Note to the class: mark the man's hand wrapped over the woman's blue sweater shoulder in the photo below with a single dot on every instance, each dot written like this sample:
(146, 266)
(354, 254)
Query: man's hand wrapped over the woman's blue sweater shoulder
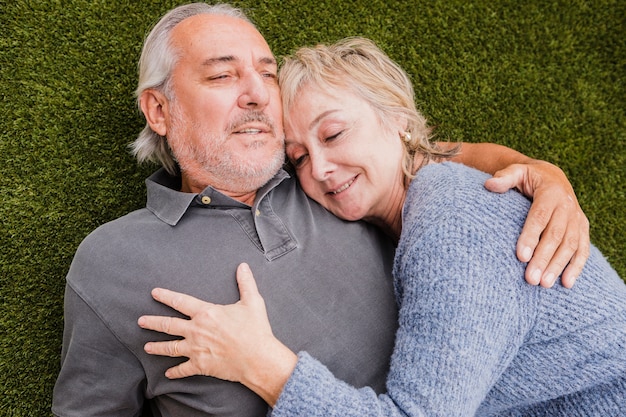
(555, 237)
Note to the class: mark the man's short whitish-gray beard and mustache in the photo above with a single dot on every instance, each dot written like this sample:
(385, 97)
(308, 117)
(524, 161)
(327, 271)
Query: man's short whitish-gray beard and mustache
(227, 170)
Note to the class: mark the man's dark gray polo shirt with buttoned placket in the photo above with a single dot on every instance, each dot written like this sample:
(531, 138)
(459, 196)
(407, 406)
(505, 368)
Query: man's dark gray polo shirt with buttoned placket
(326, 283)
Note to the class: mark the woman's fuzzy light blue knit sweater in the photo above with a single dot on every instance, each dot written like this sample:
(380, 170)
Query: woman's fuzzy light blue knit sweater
(474, 338)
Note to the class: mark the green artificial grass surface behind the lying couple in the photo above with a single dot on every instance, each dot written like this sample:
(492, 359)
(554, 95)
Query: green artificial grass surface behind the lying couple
(544, 77)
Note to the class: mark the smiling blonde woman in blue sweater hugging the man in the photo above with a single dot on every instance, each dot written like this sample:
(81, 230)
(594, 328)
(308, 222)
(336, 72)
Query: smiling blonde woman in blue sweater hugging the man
(473, 338)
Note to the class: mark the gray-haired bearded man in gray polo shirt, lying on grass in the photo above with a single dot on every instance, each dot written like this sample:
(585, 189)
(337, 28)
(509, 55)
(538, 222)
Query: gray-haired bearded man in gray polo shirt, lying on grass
(208, 85)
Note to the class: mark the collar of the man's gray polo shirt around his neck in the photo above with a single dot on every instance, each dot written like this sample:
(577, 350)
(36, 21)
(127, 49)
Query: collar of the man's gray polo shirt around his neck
(170, 205)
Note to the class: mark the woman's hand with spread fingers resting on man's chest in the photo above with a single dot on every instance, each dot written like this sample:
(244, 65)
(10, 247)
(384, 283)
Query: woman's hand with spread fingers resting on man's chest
(232, 342)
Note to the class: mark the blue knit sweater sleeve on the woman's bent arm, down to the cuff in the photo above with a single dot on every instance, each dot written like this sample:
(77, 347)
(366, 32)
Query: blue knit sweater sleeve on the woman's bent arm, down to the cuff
(464, 312)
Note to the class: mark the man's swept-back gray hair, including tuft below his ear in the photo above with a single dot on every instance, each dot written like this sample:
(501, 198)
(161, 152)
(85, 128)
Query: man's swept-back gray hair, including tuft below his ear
(156, 63)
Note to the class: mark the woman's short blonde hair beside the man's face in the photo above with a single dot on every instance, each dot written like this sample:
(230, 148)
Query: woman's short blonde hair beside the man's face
(359, 65)
